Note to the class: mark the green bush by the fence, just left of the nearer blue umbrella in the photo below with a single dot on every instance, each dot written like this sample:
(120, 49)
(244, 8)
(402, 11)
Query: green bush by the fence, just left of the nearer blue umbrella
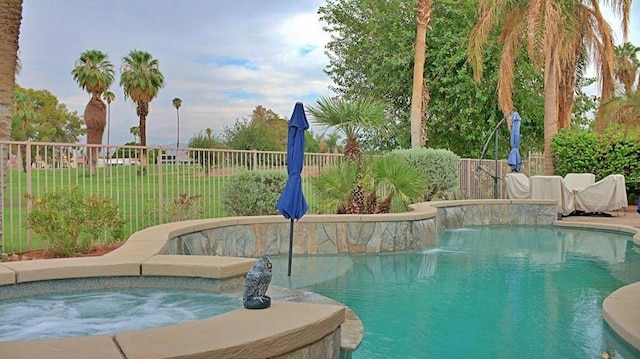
(253, 193)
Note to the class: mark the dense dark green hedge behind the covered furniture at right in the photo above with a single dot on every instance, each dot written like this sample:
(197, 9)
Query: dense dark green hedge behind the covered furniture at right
(614, 151)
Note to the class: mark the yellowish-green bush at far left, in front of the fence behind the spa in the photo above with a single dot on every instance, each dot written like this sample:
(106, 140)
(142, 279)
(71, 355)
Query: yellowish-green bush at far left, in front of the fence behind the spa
(70, 221)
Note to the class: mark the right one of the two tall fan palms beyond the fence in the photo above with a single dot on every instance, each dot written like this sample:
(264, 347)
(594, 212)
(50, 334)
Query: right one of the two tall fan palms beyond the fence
(142, 80)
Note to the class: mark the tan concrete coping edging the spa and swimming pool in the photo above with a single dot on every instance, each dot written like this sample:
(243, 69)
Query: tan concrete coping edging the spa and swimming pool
(144, 254)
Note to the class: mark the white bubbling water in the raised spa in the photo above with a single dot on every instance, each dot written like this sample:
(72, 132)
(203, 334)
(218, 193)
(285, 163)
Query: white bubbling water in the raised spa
(106, 312)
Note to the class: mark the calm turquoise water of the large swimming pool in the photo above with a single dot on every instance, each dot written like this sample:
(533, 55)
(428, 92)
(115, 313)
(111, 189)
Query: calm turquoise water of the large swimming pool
(486, 292)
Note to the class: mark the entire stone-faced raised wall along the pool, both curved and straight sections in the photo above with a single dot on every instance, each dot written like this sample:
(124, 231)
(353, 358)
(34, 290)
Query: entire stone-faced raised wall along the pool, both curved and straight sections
(376, 235)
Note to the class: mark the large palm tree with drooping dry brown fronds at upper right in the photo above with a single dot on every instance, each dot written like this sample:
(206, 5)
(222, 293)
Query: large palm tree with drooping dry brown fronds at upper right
(555, 36)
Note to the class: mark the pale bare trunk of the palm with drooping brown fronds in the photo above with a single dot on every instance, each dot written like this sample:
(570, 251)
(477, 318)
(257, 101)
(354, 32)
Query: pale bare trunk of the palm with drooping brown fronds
(550, 110)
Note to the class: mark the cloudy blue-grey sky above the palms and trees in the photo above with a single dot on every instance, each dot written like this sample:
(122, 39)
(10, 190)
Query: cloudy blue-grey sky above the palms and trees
(222, 58)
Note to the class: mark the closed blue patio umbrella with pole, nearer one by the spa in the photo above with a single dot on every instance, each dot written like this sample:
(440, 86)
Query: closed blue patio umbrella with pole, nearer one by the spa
(291, 203)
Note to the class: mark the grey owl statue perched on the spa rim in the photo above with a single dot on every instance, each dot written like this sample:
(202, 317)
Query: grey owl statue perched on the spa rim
(256, 285)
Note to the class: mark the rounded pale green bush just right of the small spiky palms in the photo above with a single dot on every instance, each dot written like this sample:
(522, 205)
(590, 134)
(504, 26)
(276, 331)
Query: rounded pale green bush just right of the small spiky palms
(439, 168)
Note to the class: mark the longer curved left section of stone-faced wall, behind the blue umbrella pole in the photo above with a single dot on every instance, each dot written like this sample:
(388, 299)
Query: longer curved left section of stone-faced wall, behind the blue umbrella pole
(253, 240)
